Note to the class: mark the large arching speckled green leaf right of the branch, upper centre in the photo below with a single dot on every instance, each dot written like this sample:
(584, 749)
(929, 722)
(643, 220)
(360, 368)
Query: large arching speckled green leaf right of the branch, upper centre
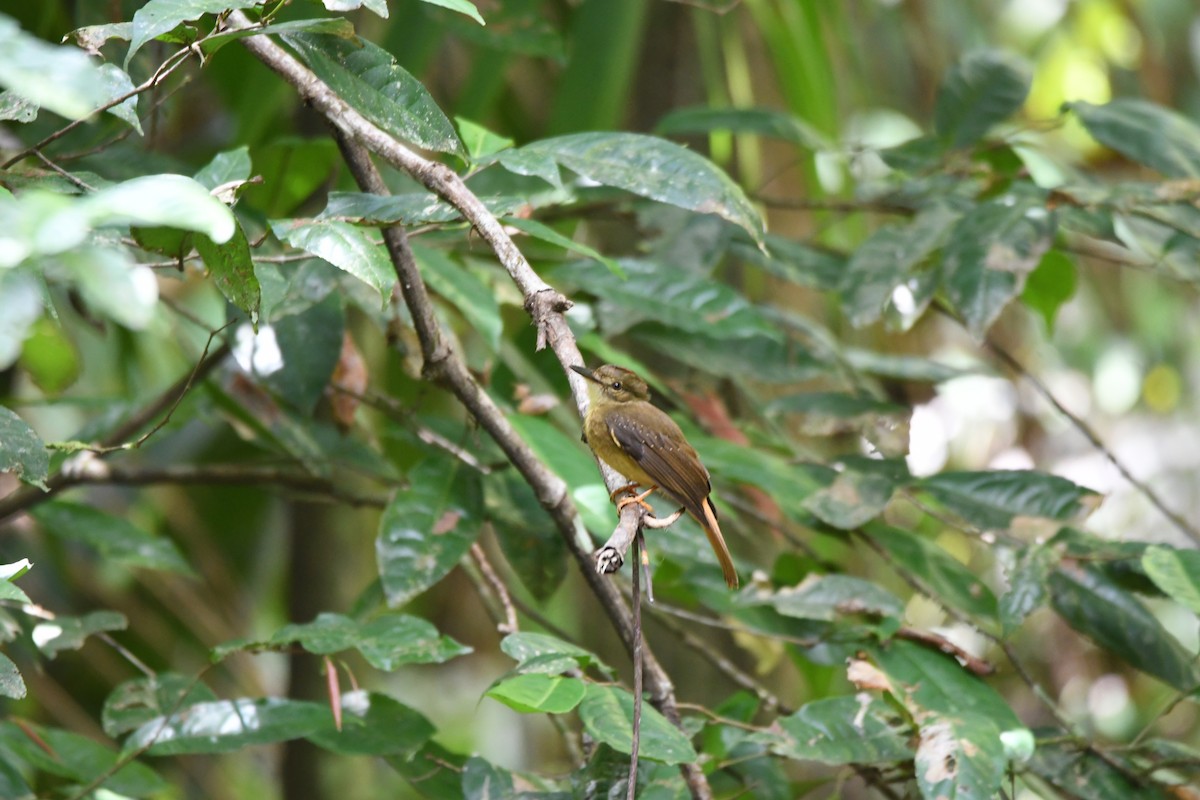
(645, 166)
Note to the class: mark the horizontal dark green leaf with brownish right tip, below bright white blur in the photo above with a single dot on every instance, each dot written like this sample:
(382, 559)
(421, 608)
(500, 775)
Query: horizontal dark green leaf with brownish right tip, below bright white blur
(993, 500)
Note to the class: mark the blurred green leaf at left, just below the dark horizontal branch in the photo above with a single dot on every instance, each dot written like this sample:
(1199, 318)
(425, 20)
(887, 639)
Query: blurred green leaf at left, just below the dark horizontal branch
(112, 538)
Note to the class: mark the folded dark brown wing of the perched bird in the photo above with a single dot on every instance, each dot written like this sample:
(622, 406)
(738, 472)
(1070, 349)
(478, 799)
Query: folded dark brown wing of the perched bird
(671, 462)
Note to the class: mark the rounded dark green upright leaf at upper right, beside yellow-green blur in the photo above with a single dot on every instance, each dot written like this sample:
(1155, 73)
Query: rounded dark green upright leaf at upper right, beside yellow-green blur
(983, 89)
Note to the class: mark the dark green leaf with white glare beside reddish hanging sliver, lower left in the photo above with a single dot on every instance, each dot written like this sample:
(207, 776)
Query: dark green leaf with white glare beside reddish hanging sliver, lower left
(375, 725)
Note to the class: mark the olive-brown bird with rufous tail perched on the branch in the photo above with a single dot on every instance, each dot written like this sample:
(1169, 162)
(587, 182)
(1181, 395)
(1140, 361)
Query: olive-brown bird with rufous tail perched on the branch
(644, 444)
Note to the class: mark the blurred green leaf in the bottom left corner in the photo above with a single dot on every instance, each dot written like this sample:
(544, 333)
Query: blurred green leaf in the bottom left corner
(80, 760)
